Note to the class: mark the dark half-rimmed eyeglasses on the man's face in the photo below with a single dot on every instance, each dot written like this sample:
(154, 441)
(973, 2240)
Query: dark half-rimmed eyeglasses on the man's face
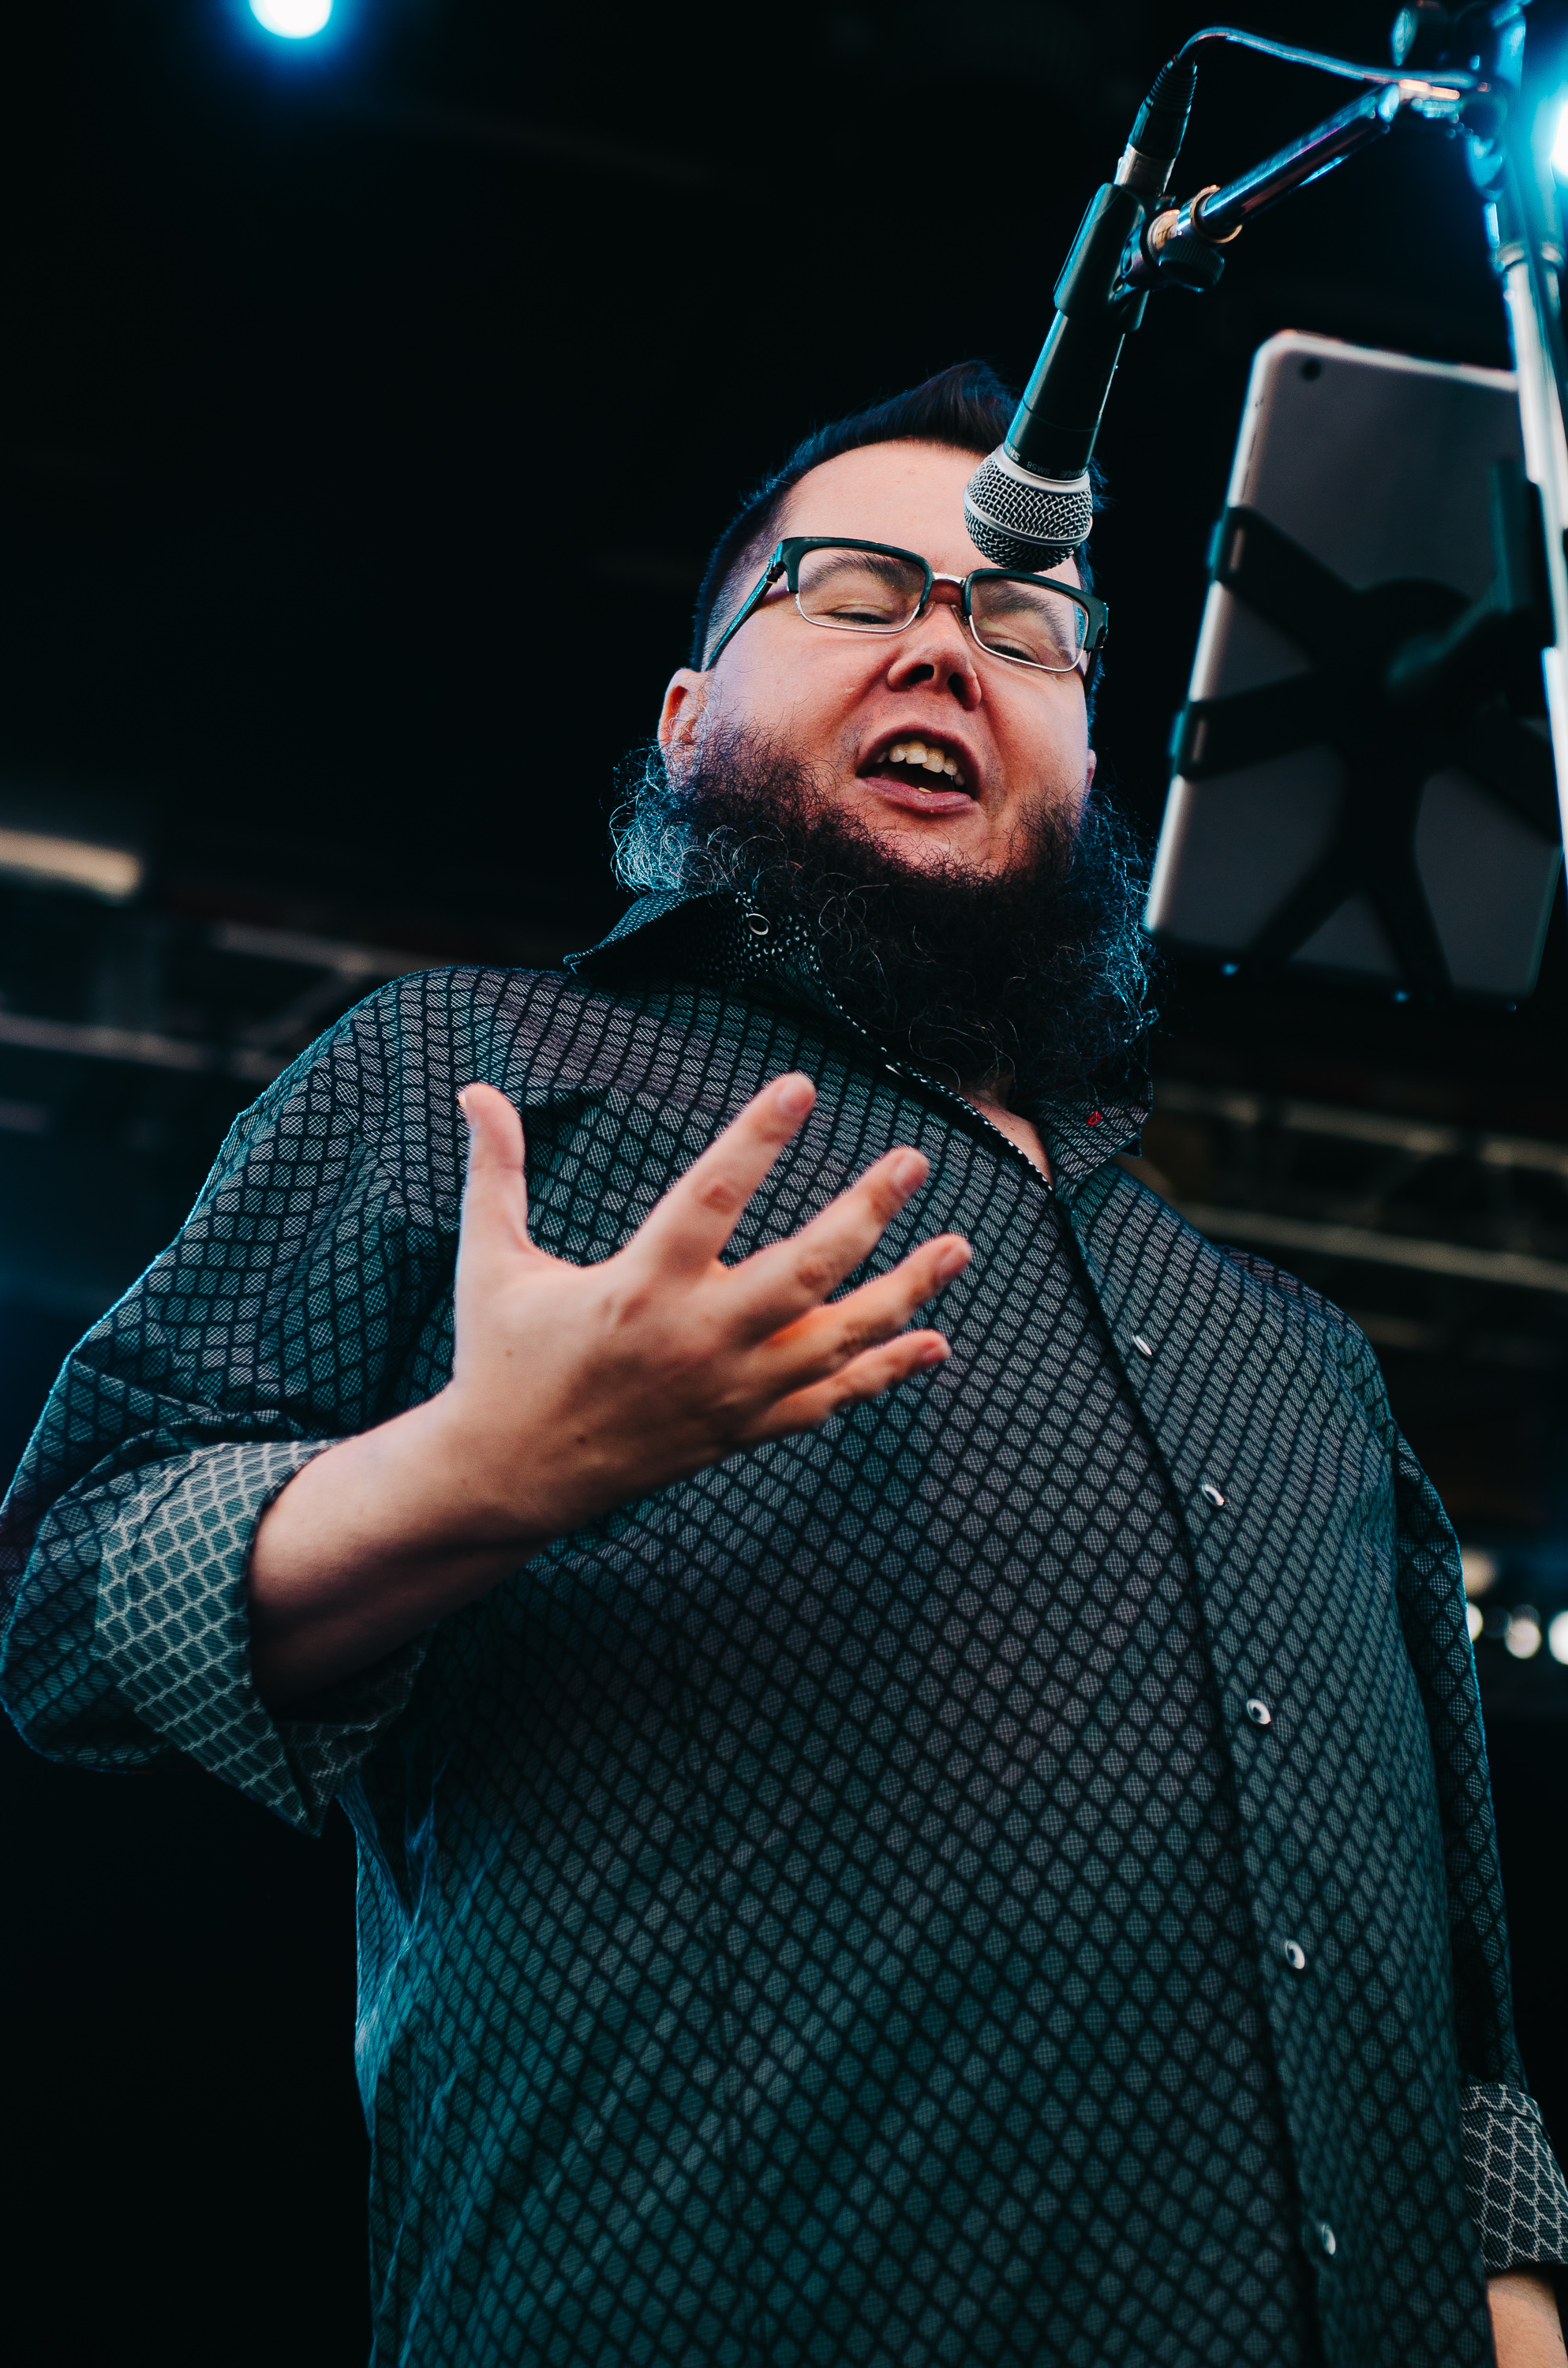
(878, 588)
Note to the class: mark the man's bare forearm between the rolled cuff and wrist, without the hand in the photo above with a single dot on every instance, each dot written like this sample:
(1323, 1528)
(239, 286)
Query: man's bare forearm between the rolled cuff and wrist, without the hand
(371, 1545)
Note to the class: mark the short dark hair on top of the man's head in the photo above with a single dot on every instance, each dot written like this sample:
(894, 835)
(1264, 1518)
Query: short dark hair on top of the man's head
(965, 408)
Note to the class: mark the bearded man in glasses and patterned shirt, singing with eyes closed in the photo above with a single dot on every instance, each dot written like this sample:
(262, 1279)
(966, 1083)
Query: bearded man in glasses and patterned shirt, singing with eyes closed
(880, 1846)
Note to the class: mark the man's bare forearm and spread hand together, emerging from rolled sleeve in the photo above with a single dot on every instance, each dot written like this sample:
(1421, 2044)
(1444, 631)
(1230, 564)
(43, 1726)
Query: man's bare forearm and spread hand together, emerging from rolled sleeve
(579, 1389)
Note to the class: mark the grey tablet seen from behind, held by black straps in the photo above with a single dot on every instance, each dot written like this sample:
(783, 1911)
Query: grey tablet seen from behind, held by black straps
(1311, 830)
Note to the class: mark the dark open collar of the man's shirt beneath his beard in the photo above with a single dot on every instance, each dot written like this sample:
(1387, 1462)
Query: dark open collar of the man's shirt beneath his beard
(721, 939)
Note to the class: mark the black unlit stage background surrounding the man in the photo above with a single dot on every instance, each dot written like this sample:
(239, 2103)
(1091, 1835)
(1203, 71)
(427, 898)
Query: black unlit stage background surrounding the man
(366, 413)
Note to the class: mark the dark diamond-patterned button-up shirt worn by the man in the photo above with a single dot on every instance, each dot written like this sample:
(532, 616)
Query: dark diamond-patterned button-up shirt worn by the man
(1008, 1879)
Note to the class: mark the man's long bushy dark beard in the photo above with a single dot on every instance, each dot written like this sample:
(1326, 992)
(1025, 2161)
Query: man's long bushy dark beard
(1017, 979)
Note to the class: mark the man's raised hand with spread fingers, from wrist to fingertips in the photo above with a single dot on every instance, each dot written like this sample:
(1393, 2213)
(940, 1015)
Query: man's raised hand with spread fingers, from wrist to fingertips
(577, 1389)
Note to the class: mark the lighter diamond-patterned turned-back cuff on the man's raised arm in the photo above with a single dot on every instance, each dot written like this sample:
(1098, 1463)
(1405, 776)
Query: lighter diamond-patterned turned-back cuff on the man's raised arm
(176, 1637)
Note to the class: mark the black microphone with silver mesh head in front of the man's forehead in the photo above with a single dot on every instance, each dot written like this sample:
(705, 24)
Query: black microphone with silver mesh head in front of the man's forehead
(1032, 506)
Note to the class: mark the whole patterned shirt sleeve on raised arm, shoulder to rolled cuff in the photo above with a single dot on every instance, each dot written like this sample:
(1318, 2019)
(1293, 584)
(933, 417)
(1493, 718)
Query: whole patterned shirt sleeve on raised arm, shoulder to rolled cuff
(276, 1325)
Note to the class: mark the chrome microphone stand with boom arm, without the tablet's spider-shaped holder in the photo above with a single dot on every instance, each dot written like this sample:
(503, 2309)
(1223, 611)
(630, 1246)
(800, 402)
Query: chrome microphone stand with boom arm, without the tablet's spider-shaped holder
(1527, 245)
